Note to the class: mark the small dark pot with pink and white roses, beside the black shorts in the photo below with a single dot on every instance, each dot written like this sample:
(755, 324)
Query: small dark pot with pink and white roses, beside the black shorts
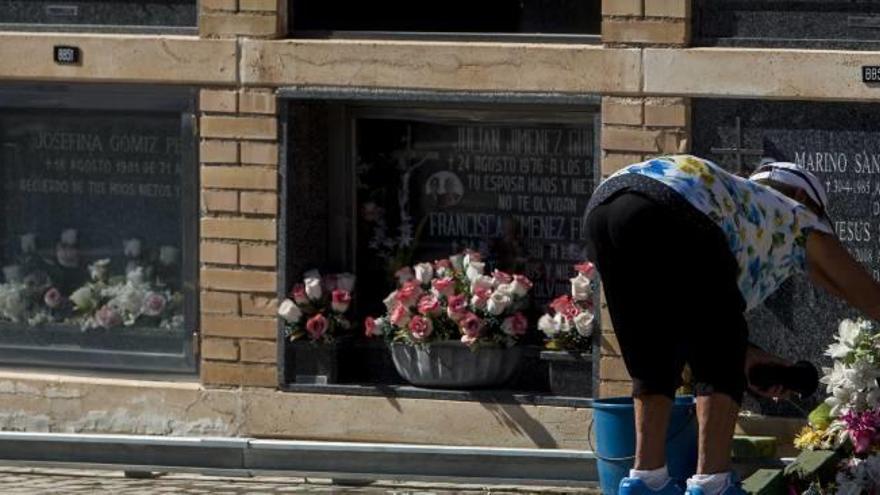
(568, 330)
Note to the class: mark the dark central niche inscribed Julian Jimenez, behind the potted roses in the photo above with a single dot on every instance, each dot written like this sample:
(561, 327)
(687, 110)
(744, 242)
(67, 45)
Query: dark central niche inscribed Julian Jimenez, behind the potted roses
(375, 184)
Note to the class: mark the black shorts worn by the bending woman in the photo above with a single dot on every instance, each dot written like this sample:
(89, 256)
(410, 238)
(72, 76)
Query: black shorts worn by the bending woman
(672, 294)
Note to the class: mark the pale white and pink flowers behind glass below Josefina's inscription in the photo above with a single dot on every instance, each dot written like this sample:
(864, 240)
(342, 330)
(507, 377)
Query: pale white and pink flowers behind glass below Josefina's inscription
(38, 290)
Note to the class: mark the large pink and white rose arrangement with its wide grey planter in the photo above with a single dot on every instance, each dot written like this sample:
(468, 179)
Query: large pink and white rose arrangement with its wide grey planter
(449, 324)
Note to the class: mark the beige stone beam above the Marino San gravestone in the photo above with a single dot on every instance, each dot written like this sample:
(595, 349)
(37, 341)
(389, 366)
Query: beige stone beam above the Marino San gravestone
(759, 73)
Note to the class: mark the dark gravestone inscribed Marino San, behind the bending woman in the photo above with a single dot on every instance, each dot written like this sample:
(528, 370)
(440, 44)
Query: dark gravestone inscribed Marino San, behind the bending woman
(839, 143)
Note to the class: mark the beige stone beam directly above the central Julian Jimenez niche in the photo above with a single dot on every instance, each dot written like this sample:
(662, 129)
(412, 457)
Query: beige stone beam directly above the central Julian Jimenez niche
(472, 66)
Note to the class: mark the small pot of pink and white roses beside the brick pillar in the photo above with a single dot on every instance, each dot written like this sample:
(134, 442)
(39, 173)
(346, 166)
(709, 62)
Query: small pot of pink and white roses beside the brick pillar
(314, 319)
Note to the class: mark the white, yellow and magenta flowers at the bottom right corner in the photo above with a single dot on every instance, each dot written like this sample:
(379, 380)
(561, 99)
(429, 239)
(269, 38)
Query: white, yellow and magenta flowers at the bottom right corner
(848, 421)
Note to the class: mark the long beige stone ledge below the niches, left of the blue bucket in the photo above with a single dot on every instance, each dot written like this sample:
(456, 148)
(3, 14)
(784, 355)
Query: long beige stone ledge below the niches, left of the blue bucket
(50, 402)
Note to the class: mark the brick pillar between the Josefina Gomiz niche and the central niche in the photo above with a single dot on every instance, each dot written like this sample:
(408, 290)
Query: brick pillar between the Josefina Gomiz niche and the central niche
(239, 210)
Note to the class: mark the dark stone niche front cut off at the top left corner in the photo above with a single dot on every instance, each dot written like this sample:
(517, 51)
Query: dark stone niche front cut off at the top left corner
(100, 15)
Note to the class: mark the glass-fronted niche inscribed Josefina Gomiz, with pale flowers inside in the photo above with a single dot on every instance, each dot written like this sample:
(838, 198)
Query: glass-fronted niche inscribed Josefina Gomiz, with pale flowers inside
(98, 228)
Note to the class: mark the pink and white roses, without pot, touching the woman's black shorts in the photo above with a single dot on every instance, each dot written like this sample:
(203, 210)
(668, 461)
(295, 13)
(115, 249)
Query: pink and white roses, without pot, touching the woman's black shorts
(569, 323)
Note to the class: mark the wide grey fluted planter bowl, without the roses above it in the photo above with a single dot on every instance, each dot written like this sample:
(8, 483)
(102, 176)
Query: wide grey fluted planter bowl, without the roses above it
(451, 364)
